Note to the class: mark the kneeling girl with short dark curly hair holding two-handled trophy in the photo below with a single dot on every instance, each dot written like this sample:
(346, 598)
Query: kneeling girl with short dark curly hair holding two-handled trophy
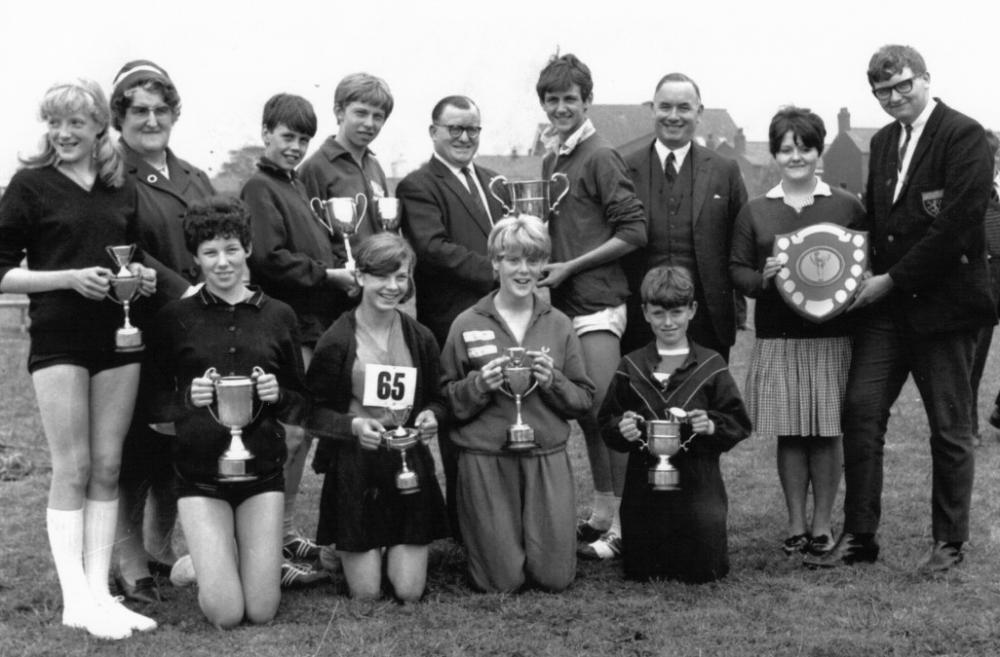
(225, 366)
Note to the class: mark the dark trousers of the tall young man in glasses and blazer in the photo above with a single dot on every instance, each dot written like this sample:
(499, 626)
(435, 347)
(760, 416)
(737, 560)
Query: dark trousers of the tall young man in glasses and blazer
(885, 352)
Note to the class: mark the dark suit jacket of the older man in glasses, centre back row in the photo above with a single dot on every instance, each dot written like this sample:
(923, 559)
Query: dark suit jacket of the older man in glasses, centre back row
(449, 237)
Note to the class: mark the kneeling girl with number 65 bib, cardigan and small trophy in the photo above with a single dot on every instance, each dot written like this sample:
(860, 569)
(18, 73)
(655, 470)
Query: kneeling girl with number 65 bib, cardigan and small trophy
(368, 507)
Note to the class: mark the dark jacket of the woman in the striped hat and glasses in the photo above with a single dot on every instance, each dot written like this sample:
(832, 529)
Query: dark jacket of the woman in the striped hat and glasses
(160, 206)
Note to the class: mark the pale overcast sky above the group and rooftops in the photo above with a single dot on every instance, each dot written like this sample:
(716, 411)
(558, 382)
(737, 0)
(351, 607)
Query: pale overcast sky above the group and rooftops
(227, 58)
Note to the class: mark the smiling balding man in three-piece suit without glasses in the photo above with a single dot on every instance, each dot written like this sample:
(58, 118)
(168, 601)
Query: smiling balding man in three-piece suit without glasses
(692, 196)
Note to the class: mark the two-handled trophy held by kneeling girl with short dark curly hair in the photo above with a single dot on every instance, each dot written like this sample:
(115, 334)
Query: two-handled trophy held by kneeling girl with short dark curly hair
(234, 400)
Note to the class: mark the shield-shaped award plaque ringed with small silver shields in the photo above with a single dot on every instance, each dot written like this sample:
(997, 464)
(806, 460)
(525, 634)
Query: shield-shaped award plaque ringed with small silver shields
(823, 264)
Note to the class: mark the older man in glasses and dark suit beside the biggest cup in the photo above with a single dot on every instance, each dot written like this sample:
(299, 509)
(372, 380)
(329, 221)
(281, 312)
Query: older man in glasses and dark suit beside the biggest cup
(448, 213)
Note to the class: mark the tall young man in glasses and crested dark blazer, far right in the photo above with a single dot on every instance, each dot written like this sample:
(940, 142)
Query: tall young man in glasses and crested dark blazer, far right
(928, 185)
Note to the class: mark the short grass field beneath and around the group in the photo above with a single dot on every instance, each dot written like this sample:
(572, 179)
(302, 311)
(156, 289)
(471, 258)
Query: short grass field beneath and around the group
(767, 606)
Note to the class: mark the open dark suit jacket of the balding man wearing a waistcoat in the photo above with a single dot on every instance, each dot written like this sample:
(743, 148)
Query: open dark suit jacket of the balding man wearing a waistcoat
(718, 196)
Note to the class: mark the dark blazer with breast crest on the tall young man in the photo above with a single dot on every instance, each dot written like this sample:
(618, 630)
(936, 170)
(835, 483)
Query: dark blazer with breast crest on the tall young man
(931, 240)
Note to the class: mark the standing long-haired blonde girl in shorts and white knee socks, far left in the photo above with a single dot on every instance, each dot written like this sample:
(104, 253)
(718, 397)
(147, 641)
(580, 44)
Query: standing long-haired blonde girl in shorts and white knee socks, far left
(61, 211)
